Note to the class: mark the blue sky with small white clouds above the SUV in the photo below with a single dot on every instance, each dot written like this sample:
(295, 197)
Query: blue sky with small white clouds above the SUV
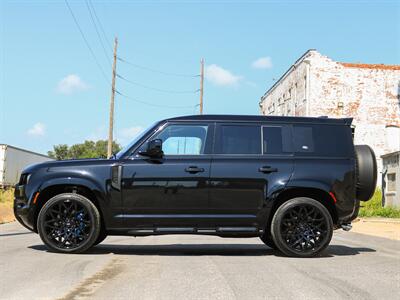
(53, 92)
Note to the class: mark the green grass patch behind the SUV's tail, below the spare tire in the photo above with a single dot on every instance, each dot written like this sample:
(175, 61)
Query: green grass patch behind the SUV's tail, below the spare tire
(373, 208)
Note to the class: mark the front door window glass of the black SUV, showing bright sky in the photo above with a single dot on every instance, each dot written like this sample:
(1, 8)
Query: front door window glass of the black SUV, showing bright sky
(183, 139)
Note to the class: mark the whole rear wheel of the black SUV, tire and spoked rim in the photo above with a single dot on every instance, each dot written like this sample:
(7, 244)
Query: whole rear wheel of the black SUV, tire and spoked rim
(301, 227)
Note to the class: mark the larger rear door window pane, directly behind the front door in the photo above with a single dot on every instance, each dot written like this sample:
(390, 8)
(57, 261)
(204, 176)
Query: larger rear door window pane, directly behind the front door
(243, 139)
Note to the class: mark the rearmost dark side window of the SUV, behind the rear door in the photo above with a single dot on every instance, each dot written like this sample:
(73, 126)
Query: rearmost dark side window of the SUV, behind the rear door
(322, 140)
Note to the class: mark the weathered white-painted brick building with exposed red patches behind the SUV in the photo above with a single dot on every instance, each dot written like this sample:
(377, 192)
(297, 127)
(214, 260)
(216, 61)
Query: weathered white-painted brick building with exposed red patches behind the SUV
(316, 85)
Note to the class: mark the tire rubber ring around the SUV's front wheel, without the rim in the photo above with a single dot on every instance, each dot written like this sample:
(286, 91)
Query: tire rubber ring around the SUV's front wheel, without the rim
(94, 216)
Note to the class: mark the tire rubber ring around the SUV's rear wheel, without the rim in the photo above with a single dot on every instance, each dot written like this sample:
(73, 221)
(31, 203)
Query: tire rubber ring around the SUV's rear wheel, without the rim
(276, 222)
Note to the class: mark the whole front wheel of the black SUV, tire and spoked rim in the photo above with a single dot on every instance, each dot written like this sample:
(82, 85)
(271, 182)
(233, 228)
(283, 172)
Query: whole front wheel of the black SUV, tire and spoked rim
(69, 223)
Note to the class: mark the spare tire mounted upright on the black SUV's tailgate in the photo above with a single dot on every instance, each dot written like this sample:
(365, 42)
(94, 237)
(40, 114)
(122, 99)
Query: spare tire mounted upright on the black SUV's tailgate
(366, 172)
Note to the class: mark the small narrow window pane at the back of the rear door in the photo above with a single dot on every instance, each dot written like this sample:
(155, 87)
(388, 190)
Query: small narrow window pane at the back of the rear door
(276, 139)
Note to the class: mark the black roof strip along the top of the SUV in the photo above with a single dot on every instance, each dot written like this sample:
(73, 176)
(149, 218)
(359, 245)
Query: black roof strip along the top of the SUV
(261, 118)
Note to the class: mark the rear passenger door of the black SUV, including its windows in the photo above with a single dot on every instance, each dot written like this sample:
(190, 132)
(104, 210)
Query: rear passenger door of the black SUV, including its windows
(250, 162)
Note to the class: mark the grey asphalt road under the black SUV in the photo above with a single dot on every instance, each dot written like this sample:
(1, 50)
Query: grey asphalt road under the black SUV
(197, 267)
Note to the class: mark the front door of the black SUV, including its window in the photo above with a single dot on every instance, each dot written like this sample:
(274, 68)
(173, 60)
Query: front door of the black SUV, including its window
(172, 190)
